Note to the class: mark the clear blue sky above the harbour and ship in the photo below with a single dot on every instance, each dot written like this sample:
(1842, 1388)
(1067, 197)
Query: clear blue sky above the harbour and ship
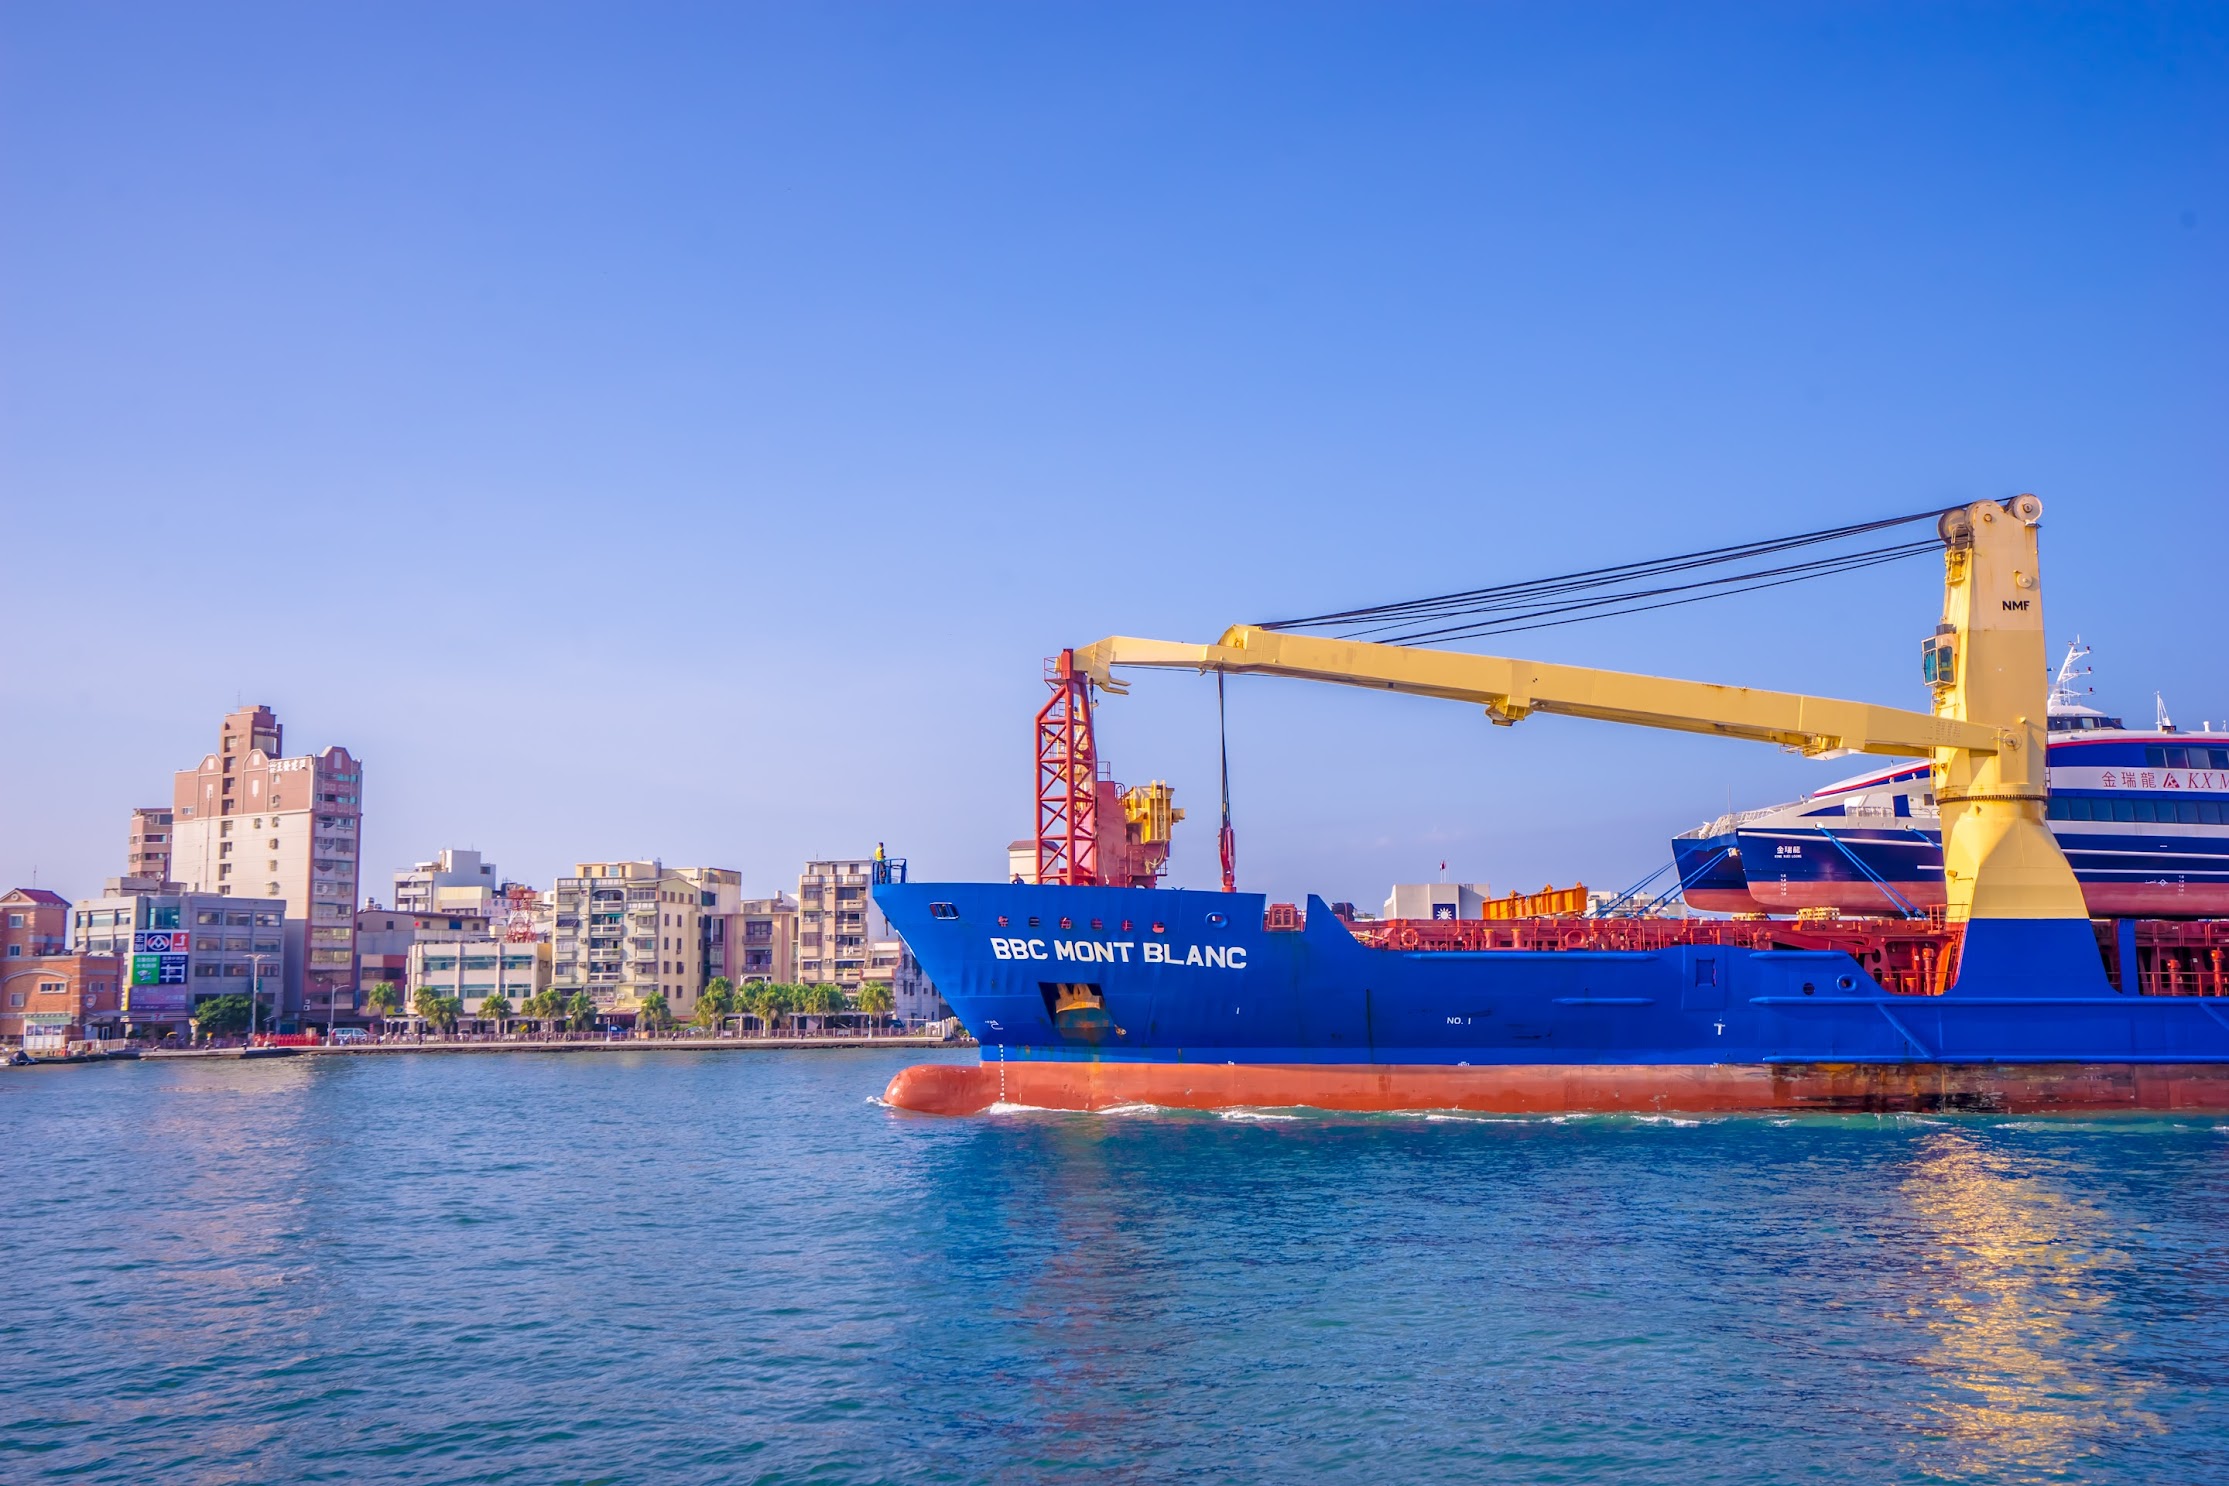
(683, 431)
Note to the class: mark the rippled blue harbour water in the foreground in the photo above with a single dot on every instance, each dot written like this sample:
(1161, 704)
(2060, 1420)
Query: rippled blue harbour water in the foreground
(739, 1269)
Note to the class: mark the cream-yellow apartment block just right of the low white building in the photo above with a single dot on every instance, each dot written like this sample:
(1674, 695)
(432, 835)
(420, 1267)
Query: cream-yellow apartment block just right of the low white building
(632, 928)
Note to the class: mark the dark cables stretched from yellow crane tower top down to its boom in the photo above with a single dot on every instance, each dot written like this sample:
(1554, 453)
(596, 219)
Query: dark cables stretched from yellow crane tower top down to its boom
(1602, 594)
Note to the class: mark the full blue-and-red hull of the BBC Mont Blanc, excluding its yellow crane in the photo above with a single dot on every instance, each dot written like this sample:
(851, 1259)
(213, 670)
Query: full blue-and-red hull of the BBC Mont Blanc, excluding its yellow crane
(1093, 997)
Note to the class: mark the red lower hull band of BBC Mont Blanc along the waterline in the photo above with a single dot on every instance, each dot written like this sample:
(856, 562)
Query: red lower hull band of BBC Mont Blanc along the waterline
(1755, 1088)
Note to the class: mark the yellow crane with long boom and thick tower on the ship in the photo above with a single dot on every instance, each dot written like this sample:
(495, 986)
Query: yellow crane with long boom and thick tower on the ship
(1987, 736)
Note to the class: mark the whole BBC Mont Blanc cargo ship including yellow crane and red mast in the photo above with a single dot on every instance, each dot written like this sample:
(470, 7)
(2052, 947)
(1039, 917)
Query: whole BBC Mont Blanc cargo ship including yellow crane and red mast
(1089, 993)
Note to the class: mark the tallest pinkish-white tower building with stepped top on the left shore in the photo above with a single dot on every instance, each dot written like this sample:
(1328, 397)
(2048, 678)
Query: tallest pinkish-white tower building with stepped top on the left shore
(253, 823)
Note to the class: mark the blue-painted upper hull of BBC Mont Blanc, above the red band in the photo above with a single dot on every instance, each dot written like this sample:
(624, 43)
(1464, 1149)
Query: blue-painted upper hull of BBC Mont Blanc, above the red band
(1194, 977)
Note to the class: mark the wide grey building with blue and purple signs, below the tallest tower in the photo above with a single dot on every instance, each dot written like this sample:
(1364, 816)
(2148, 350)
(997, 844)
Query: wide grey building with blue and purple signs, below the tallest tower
(179, 948)
